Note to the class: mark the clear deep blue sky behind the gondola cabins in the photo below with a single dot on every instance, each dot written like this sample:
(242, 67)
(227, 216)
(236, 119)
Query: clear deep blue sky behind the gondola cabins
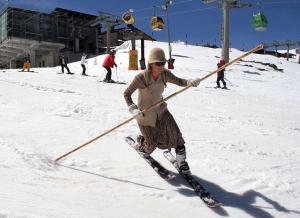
(193, 21)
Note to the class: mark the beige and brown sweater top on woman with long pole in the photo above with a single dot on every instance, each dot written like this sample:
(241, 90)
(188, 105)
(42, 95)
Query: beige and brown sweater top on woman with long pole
(150, 92)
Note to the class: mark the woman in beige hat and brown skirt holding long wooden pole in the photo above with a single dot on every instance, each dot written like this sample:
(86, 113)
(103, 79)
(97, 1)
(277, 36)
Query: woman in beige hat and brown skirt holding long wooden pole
(157, 126)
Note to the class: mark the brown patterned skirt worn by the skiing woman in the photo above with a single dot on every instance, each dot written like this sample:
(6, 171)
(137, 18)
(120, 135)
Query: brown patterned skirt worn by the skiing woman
(165, 134)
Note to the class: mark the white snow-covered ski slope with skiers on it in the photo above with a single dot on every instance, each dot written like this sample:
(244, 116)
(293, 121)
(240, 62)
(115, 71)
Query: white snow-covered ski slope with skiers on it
(242, 143)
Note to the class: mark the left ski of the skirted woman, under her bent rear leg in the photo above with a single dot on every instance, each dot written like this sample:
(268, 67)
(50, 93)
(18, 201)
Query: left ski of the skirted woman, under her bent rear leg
(159, 169)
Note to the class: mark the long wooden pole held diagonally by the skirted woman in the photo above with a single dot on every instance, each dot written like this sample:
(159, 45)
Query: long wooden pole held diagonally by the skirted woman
(259, 47)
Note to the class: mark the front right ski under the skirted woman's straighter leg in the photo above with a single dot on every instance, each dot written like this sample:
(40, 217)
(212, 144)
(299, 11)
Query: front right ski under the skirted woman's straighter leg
(197, 187)
